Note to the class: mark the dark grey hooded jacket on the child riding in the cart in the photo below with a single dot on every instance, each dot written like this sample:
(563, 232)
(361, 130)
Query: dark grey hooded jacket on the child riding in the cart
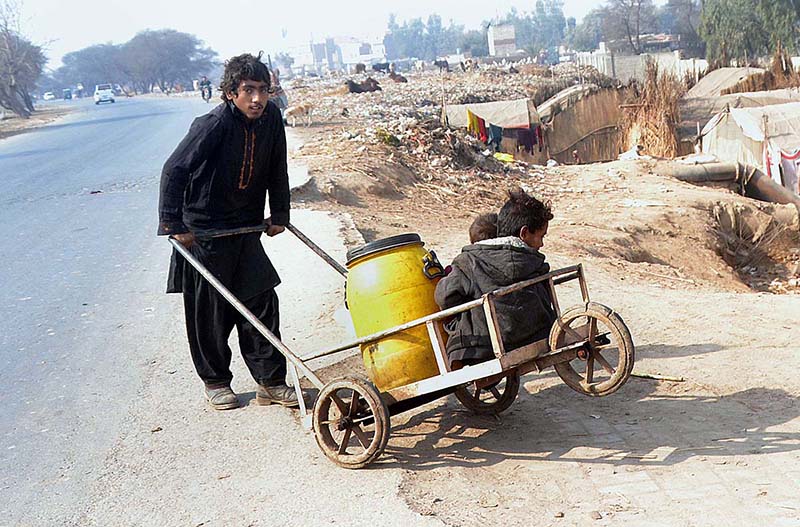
(524, 316)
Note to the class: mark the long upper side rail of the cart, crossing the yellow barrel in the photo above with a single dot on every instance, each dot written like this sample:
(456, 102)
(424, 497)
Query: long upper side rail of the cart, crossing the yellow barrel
(566, 274)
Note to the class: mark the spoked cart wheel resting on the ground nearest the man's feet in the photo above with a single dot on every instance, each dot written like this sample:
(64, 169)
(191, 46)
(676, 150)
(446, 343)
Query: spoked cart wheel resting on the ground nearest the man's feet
(351, 422)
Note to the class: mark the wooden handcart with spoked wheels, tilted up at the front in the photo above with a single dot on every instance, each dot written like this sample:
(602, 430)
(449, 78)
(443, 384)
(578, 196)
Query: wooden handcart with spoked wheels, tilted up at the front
(589, 346)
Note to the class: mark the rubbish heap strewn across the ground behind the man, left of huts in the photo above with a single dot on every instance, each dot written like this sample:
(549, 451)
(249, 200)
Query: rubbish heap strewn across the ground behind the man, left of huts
(401, 124)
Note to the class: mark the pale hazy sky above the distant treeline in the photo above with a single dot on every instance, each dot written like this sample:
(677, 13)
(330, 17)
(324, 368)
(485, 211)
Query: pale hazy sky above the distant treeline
(231, 27)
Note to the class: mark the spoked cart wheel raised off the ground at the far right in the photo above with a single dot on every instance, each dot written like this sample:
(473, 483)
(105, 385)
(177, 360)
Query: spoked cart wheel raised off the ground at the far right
(605, 361)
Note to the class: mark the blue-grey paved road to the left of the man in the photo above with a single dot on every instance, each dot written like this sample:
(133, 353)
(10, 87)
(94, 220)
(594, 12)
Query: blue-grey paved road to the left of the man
(80, 283)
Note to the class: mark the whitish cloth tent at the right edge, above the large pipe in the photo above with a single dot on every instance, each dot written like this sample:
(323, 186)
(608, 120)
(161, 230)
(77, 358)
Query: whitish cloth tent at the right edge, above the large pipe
(766, 137)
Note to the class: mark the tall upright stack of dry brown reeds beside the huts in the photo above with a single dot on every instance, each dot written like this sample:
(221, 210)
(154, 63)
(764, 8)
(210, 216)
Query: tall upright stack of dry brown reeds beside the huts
(652, 113)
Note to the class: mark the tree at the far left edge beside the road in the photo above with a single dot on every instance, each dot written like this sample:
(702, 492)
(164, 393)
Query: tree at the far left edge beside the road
(21, 63)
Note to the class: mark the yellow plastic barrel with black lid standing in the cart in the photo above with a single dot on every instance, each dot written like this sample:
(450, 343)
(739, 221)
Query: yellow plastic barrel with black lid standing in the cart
(390, 282)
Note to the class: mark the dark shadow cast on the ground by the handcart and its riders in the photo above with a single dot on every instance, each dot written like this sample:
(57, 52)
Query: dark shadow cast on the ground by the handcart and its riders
(644, 424)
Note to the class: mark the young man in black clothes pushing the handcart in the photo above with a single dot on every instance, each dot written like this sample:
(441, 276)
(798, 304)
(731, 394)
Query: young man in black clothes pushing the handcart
(219, 177)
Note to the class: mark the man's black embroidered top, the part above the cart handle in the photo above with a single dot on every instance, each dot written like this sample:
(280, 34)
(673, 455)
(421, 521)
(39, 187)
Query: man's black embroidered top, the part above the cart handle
(221, 172)
